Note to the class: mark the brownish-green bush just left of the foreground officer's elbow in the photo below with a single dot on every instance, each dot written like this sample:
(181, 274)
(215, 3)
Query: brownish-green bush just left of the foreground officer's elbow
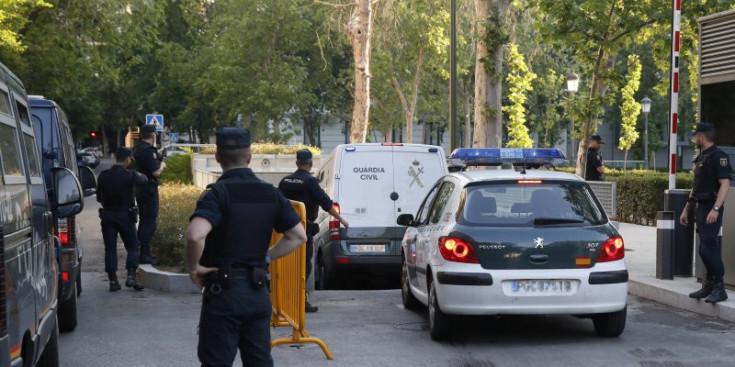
(177, 202)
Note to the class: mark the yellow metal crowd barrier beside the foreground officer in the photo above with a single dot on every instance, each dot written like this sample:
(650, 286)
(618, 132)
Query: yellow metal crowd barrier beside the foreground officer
(288, 292)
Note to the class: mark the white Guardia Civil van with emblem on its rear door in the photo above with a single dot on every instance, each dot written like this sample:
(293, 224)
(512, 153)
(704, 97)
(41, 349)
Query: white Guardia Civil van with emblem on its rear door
(371, 184)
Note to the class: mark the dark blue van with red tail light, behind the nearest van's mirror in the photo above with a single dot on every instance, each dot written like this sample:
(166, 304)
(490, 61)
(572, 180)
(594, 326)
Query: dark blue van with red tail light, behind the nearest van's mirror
(57, 150)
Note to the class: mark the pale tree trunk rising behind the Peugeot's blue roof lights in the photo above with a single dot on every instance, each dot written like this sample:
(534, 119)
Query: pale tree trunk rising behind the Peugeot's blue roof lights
(482, 10)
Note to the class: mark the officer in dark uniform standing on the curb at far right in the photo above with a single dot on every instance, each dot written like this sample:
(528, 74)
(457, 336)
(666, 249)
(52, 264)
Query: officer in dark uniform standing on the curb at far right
(712, 174)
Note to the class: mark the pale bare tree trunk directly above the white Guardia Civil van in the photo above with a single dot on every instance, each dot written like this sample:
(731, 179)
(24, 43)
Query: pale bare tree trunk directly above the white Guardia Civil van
(359, 32)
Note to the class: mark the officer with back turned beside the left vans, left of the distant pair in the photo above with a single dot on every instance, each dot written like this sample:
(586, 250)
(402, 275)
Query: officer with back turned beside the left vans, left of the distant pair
(116, 193)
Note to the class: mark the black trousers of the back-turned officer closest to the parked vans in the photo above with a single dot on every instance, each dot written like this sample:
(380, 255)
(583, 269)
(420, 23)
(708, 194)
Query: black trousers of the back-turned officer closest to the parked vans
(114, 223)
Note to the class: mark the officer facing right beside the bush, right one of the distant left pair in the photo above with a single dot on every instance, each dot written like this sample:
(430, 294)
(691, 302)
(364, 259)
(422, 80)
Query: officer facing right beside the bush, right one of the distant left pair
(148, 162)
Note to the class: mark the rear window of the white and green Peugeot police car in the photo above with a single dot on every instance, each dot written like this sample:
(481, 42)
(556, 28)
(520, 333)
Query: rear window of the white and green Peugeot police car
(530, 203)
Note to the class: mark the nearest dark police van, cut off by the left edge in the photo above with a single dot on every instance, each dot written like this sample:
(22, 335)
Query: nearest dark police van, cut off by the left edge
(29, 274)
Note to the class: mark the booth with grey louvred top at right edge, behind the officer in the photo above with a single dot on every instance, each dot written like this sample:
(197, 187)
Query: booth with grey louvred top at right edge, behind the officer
(716, 96)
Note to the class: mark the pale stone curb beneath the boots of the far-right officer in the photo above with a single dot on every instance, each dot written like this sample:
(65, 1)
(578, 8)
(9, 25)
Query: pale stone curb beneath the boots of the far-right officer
(662, 294)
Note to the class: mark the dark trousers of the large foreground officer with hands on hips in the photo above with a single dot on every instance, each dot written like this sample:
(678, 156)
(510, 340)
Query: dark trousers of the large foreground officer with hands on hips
(237, 318)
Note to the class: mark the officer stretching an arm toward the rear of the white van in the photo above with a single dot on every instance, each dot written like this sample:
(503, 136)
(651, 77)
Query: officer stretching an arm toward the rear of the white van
(302, 186)
